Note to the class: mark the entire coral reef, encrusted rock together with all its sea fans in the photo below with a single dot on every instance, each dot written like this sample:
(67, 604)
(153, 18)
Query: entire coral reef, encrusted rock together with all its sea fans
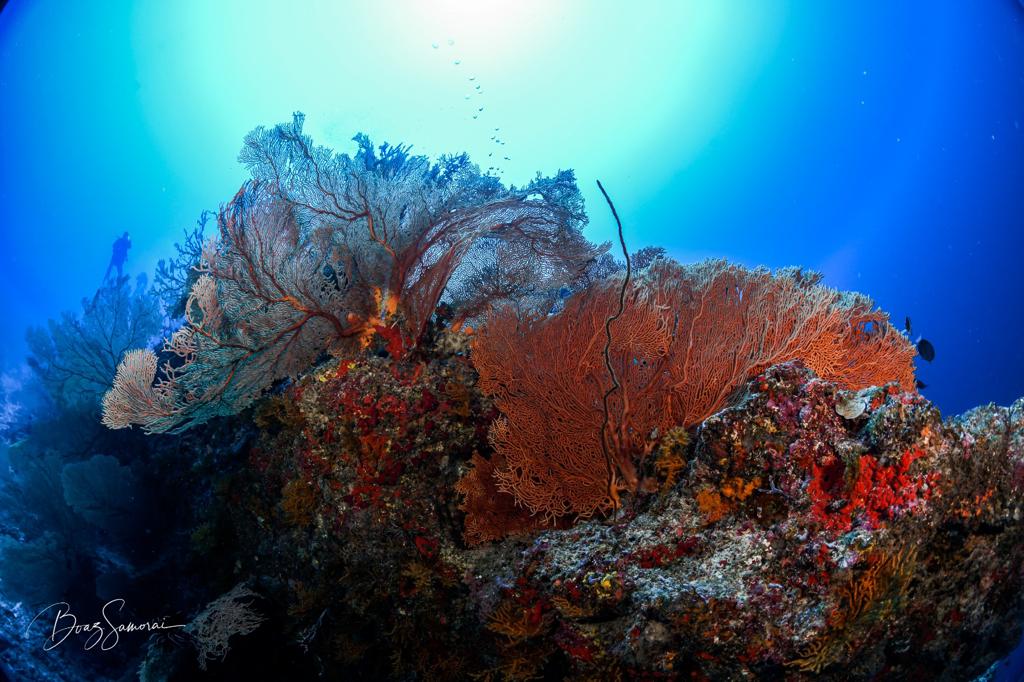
(412, 425)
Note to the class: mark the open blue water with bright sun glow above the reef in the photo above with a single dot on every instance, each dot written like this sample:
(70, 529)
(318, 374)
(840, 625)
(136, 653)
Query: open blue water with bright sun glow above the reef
(880, 143)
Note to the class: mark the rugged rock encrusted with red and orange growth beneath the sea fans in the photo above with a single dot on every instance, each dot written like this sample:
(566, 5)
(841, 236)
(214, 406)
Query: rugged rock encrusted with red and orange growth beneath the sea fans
(782, 541)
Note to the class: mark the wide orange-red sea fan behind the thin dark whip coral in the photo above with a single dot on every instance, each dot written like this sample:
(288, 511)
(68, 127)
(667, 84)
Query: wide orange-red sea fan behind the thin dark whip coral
(689, 338)
